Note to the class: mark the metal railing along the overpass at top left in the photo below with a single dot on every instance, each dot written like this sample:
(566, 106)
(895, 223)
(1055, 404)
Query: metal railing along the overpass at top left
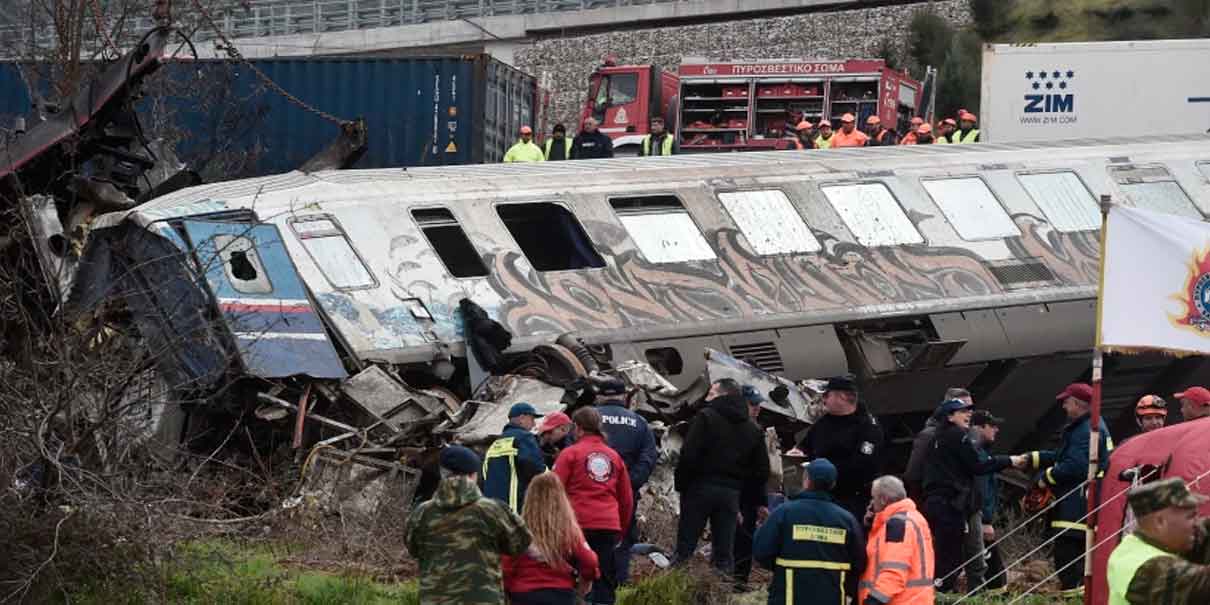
(258, 19)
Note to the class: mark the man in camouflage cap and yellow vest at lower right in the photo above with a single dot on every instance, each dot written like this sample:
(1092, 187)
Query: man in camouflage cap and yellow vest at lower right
(1167, 560)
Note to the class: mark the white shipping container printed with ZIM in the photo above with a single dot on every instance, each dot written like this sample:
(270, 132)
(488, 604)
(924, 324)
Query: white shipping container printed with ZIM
(1070, 91)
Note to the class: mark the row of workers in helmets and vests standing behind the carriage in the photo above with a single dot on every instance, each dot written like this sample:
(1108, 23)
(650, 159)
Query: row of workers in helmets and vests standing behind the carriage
(591, 143)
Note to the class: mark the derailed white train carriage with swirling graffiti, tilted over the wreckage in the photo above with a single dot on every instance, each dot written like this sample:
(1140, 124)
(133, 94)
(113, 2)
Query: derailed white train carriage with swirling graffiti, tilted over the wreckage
(914, 268)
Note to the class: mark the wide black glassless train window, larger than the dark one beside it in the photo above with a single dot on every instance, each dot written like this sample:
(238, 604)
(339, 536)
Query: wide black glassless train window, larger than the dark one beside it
(550, 237)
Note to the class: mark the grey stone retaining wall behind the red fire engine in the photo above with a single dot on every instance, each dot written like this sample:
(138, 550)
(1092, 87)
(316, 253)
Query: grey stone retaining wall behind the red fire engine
(566, 64)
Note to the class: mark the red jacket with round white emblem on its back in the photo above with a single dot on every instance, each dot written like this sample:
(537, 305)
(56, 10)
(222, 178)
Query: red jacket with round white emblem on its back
(597, 485)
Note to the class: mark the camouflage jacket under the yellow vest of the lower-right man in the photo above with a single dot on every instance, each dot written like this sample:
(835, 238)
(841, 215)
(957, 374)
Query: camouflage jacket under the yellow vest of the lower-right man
(1176, 580)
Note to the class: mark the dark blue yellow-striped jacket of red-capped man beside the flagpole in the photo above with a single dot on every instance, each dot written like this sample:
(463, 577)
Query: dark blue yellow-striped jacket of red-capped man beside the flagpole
(1065, 469)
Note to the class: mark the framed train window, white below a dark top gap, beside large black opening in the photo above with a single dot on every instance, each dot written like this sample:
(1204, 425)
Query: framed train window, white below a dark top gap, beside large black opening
(677, 220)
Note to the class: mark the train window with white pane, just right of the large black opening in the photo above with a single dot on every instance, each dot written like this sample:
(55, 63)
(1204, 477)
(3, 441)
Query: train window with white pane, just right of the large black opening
(662, 229)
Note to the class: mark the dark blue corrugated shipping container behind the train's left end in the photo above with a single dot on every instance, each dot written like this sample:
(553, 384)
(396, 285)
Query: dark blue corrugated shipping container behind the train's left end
(419, 112)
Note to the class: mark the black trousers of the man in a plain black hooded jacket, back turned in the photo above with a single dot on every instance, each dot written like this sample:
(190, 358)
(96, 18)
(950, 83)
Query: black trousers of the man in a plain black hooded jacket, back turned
(718, 505)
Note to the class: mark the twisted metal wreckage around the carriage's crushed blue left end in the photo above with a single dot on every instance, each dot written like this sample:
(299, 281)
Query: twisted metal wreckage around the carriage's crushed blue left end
(370, 425)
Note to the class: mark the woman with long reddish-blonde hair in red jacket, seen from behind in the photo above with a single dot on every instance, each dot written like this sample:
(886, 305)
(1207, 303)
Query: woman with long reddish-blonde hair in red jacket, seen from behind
(558, 561)
